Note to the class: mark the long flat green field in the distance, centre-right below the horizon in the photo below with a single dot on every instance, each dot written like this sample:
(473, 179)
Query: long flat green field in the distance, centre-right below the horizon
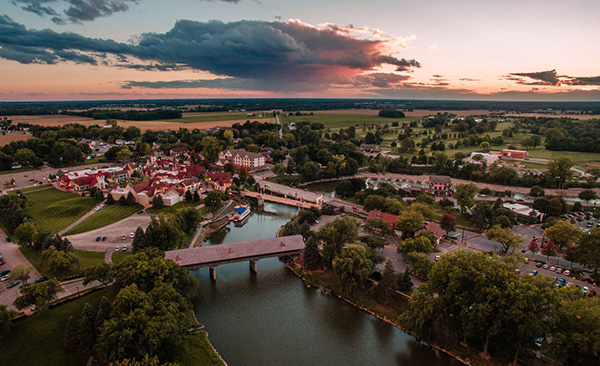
(344, 120)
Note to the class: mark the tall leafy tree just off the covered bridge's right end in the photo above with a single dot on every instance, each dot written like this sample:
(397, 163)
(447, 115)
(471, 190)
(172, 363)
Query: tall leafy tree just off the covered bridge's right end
(334, 235)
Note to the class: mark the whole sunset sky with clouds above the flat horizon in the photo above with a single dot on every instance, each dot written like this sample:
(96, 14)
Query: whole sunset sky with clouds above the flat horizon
(397, 49)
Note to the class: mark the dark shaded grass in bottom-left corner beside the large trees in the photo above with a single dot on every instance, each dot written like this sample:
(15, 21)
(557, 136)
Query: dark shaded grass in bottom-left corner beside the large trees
(38, 339)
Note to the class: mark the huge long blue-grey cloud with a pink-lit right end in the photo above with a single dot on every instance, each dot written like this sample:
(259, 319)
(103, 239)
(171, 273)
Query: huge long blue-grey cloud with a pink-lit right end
(270, 52)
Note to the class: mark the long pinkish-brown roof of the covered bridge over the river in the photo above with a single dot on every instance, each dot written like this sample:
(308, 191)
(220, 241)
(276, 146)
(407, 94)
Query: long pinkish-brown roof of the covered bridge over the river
(232, 252)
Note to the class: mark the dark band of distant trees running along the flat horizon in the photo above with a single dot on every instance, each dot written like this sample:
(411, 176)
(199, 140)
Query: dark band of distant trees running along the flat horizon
(293, 105)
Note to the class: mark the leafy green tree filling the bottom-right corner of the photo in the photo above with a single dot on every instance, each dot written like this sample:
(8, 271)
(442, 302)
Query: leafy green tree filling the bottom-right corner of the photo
(575, 340)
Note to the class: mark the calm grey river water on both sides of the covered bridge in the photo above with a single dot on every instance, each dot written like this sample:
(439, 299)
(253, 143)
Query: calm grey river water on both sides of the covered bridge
(271, 318)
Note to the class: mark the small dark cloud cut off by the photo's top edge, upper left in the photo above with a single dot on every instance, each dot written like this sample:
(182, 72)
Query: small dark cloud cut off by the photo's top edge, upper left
(76, 11)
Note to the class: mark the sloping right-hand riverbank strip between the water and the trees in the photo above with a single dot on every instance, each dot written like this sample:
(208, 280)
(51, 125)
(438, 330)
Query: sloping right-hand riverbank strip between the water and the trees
(326, 281)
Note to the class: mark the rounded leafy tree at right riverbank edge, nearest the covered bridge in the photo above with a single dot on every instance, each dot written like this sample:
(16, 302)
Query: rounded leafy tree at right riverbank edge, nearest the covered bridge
(353, 266)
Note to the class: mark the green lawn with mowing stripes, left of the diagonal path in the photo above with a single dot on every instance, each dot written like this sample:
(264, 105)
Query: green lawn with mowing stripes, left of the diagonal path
(53, 210)
